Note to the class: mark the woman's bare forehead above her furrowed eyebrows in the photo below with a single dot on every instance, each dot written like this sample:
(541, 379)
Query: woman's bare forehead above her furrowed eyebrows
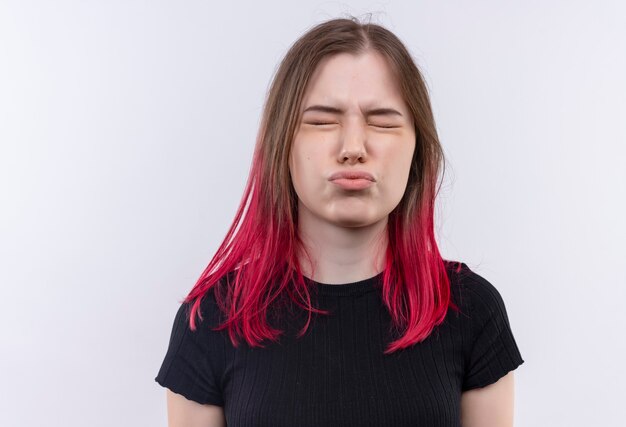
(347, 78)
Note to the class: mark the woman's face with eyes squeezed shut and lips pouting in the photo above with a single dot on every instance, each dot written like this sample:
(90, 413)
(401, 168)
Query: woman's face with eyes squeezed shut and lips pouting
(353, 118)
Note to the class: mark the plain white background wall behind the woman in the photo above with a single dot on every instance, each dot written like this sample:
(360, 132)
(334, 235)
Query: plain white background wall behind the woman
(127, 131)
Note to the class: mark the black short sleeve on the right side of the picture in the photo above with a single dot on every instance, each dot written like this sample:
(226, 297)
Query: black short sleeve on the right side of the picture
(493, 351)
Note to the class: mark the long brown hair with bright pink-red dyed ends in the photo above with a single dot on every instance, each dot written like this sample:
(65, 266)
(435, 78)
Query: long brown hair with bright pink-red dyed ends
(257, 263)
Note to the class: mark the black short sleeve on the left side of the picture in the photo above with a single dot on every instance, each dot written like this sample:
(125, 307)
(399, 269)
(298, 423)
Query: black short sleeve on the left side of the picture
(194, 360)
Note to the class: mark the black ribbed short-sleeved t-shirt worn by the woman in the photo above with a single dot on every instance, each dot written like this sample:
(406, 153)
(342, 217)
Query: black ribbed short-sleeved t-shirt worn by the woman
(337, 374)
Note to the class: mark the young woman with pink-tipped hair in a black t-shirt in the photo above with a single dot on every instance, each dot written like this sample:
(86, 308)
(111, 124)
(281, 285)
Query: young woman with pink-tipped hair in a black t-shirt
(328, 303)
